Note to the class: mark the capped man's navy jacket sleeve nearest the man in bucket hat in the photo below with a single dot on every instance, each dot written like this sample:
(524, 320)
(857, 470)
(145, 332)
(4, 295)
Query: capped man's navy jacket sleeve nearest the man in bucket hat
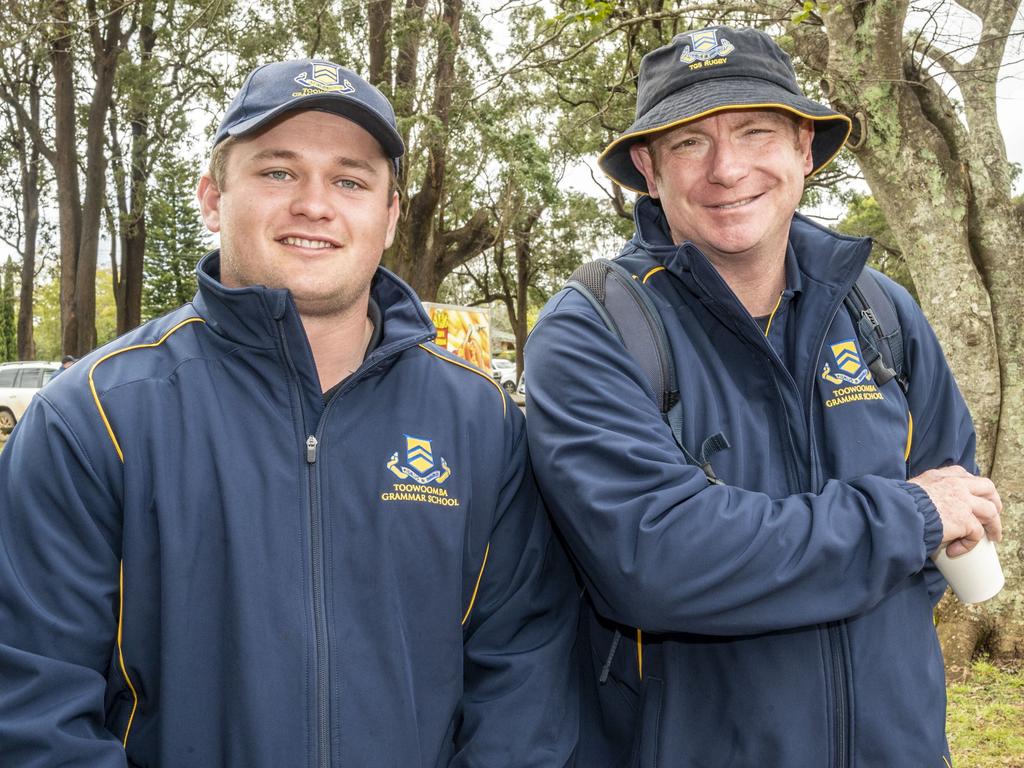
(520, 708)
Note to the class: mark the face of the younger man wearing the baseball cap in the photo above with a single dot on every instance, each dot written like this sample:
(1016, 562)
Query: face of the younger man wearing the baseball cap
(305, 205)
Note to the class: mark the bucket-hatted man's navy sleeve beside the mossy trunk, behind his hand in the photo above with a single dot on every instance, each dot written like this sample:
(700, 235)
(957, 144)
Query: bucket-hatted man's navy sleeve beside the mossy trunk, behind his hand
(944, 433)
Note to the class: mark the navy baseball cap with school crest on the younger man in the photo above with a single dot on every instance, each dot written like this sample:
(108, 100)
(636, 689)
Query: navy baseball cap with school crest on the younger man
(275, 90)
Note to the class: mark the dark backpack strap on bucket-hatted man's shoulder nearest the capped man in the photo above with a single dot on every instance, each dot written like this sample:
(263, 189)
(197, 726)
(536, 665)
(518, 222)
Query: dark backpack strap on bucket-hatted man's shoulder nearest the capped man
(629, 313)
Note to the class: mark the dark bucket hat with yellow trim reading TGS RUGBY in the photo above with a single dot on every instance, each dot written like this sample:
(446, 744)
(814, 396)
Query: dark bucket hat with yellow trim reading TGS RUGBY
(712, 70)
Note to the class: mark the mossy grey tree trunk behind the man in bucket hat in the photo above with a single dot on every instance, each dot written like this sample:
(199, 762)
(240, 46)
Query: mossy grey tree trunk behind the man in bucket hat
(941, 174)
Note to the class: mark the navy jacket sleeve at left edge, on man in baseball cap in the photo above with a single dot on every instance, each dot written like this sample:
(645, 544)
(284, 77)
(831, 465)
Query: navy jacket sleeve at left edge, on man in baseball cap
(59, 599)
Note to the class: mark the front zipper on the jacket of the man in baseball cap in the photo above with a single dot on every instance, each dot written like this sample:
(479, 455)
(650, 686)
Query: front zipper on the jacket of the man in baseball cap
(317, 567)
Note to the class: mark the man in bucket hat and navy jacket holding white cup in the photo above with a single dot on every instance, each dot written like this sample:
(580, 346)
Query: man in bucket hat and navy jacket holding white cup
(783, 616)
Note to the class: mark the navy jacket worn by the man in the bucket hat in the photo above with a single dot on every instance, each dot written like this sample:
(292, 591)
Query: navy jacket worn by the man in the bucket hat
(784, 619)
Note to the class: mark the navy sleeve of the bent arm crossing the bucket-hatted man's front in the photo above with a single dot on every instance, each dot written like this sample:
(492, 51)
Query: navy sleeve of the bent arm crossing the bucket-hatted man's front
(660, 548)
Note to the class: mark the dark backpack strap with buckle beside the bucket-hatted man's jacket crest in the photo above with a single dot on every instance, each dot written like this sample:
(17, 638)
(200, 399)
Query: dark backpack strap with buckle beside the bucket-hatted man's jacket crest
(879, 330)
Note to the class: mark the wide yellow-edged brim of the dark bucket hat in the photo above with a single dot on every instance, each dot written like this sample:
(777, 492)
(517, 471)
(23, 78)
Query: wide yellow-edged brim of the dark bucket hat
(719, 95)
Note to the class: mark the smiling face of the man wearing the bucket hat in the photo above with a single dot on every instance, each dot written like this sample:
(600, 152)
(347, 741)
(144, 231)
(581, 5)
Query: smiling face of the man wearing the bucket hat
(732, 182)
